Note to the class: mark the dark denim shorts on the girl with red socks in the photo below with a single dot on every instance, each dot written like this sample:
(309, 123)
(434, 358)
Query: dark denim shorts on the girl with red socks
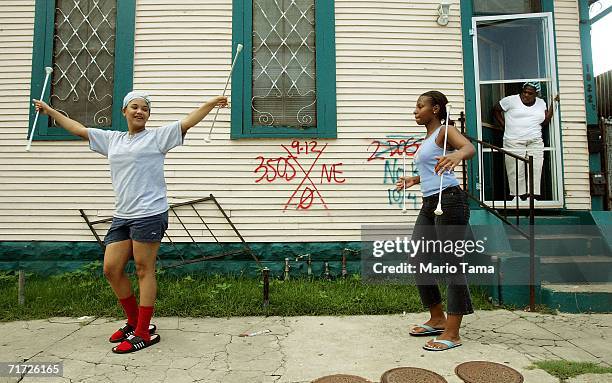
(145, 229)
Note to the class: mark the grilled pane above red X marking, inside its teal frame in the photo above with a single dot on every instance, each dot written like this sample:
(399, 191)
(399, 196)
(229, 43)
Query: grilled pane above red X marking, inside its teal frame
(284, 75)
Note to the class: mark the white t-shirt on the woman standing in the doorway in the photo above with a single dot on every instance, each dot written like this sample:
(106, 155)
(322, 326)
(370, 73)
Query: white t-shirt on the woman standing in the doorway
(522, 122)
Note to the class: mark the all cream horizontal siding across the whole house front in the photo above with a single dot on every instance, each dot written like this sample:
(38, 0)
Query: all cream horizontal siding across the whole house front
(388, 52)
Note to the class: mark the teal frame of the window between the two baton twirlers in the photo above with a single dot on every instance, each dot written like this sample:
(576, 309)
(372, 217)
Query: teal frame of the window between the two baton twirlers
(242, 33)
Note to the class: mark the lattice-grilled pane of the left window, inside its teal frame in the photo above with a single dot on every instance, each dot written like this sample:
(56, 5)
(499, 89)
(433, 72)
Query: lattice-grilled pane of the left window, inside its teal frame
(84, 56)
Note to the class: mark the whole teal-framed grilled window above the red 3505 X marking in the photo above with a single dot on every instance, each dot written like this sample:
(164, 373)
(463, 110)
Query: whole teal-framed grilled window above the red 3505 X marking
(284, 85)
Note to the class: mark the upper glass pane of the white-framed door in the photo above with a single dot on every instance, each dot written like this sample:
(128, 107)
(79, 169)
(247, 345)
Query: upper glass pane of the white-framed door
(512, 49)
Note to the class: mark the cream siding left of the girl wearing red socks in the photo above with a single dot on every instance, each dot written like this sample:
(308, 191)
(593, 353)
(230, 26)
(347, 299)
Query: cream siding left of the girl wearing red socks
(40, 191)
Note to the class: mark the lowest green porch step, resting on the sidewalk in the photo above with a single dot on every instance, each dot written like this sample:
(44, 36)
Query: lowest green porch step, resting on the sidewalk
(578, 298)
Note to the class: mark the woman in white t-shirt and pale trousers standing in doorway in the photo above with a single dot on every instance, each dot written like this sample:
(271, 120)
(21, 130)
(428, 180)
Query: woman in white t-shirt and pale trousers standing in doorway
(522, 117)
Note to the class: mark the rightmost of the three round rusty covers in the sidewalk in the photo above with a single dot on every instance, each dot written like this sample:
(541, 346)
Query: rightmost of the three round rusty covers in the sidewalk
(487, 372)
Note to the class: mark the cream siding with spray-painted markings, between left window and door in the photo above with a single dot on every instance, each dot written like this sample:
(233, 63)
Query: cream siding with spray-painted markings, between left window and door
(388, 53)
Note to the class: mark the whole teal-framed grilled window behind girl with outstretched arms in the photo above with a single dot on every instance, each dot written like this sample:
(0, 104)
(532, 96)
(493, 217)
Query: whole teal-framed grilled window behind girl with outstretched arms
(89, 44)
